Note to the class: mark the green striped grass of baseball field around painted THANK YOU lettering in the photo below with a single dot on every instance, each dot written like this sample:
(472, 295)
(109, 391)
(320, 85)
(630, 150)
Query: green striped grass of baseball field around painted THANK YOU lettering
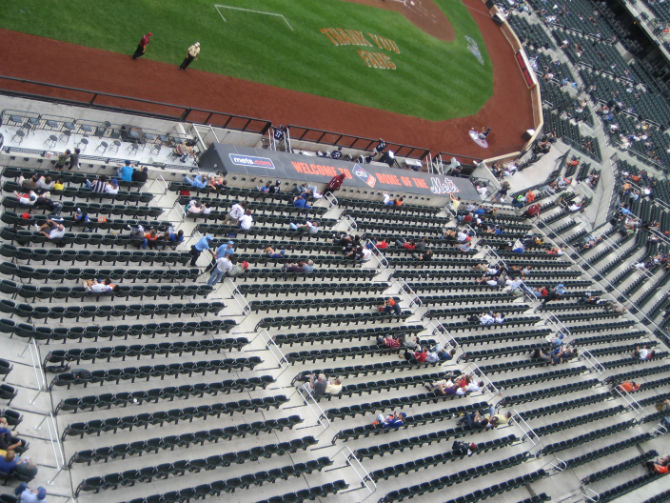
(434, 80)
